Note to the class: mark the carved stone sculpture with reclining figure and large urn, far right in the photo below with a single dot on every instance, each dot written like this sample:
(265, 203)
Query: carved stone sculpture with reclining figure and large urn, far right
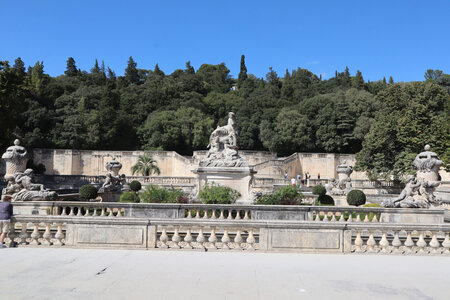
(419, 190)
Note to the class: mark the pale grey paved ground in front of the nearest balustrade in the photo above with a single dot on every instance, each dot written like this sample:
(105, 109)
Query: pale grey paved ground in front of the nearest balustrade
(34, 273)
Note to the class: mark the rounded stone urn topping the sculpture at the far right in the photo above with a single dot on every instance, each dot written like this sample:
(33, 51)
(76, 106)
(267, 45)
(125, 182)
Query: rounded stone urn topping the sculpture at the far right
(428, 165)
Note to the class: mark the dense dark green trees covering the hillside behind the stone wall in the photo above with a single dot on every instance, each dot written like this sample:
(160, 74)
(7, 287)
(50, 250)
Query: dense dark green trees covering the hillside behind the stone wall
(150, 110)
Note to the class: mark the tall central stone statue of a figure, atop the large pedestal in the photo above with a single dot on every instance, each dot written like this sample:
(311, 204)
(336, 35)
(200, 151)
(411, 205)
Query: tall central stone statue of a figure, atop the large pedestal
(223, 149)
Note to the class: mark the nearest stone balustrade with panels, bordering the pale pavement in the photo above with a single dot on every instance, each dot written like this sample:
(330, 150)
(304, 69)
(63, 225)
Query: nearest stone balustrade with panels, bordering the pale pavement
(248, 235)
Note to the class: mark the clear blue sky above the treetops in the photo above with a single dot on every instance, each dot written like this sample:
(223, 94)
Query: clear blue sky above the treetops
(380, 38)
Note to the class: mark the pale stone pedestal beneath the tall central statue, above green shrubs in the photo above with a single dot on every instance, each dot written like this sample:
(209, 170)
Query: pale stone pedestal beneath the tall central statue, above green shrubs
(238, 178)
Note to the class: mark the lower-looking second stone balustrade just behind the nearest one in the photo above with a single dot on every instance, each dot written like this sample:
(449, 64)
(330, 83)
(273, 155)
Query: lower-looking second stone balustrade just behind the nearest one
(230, 212)
